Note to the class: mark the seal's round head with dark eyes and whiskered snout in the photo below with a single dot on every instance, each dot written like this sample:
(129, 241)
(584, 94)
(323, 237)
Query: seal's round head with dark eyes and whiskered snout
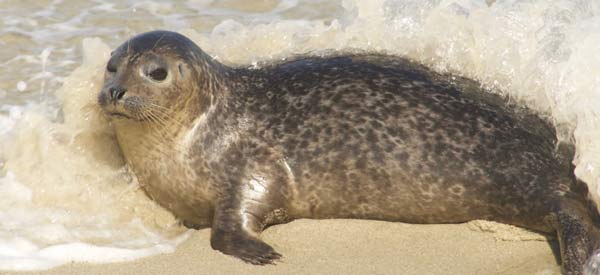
(153, 74)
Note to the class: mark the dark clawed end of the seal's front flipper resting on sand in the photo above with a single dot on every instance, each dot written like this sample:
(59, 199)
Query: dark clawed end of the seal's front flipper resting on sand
(241, 245)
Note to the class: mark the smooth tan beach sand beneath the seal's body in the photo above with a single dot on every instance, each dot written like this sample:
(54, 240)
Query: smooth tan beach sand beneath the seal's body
(358, 247)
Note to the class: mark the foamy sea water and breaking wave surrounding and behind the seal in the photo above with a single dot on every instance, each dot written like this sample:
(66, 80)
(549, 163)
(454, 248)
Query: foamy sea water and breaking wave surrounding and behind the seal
(66, 193)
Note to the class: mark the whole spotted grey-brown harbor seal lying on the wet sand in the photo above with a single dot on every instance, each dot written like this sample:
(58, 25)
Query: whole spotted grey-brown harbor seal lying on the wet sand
(361, 136)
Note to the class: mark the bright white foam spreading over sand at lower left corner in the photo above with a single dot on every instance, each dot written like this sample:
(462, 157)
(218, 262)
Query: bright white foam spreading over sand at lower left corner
(38, 238)
